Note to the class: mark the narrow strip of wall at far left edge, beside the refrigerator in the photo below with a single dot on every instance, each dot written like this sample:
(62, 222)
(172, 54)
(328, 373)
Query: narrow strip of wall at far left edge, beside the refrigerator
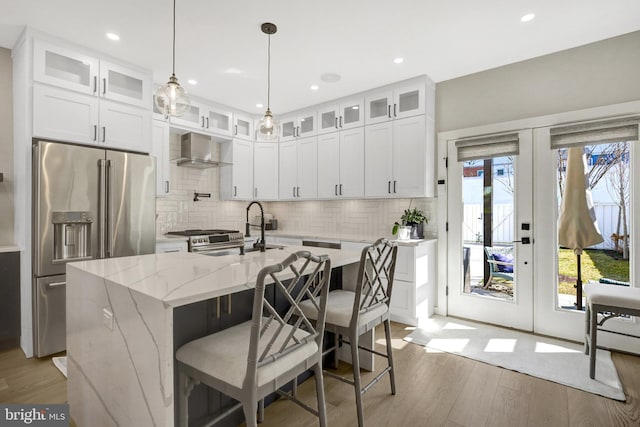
(6, 148)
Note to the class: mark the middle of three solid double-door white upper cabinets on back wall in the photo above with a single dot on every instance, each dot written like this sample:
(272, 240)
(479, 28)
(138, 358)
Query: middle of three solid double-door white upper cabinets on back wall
(341, 164)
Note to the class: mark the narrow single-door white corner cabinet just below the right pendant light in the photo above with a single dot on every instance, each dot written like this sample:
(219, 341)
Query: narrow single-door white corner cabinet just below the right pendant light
(265, 170)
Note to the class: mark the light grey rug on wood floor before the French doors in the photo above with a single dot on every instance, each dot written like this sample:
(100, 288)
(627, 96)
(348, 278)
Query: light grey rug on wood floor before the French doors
(547, 358)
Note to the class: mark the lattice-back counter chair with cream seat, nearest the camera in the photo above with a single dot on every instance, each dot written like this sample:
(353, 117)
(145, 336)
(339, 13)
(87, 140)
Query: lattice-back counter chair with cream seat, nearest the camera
(251, 360)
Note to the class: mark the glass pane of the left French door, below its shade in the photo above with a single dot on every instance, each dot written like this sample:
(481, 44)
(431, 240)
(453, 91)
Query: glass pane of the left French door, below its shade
(488, 228)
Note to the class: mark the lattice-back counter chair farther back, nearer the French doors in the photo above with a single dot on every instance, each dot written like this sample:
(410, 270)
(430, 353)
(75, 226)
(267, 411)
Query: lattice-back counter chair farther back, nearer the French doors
(354, 313)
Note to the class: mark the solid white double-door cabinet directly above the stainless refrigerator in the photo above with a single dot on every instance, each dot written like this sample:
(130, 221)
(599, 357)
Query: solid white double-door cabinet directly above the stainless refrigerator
(75, 117)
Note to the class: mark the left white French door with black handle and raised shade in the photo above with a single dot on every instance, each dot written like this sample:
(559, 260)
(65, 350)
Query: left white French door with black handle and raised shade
(490, 237)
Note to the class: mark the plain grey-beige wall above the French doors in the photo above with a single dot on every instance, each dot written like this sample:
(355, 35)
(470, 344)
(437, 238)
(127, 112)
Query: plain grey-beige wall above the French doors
(597, 74)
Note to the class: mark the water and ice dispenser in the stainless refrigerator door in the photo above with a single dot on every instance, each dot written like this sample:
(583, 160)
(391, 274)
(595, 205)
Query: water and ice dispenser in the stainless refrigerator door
(71, 235)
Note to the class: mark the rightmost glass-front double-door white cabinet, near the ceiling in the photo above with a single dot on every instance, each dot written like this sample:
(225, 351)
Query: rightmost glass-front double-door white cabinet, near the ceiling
(404, 100)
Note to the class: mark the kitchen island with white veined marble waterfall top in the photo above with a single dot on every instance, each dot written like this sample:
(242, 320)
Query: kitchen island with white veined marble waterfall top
(126, 317)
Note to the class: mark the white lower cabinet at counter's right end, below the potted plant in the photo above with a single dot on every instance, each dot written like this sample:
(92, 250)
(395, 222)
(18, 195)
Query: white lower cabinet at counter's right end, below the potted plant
(414, 286)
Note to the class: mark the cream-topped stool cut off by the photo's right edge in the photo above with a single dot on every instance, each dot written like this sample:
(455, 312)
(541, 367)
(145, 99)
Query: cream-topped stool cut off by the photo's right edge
(611, 301)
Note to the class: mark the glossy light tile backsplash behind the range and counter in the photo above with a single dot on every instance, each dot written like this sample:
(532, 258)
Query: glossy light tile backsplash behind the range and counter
(374, 217)
